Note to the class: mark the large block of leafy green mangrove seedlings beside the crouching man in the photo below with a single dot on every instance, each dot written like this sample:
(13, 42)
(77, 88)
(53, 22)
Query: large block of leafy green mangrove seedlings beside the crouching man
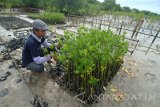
(90, 58)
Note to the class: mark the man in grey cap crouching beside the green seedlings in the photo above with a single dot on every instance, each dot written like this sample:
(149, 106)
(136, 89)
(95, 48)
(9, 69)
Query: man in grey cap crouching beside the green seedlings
(32, 56)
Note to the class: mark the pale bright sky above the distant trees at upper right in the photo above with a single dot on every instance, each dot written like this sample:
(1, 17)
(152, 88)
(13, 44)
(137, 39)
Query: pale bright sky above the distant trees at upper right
(150, 5)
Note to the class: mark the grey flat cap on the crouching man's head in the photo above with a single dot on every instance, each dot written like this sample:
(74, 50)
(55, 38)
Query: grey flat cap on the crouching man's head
(39, 24)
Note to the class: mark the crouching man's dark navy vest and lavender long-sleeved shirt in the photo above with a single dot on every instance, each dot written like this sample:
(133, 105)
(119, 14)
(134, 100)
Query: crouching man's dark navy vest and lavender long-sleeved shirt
(32, 50)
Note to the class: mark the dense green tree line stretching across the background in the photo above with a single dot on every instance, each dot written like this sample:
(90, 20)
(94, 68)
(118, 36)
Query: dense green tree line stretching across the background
(77, 7)
